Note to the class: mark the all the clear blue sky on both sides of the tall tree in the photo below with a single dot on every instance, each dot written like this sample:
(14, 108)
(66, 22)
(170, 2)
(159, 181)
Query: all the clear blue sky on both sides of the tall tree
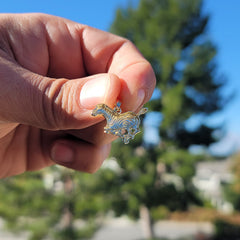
(224, 31)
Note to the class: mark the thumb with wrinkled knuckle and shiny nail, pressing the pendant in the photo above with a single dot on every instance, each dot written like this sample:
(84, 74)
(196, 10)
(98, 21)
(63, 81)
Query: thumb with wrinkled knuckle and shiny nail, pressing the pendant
(47, 103)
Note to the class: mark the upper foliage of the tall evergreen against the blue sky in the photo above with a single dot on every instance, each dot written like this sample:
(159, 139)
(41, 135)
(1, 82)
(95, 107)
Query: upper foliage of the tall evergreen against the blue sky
(171, 35)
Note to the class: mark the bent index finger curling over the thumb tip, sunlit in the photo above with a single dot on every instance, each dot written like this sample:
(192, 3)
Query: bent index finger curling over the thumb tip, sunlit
(105, 52)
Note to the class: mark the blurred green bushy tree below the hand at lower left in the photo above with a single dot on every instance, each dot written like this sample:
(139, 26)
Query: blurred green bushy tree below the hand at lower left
(48, 203)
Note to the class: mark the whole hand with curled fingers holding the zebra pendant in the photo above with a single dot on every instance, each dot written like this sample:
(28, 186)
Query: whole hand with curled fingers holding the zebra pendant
(52, 74)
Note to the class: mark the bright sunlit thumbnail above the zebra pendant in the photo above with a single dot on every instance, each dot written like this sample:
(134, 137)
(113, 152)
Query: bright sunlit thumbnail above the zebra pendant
(94, 91)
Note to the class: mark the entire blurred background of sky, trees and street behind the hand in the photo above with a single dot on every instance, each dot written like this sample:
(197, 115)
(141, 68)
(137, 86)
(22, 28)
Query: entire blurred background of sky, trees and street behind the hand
(180, 178)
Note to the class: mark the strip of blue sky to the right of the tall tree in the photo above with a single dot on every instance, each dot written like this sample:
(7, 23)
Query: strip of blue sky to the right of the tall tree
(224, 31)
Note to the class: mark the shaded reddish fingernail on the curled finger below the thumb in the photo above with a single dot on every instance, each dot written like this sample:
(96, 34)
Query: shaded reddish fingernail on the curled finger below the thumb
(62, 153)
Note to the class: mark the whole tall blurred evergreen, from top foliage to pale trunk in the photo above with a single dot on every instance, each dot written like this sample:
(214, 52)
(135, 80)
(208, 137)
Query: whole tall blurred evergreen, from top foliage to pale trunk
(171, 34)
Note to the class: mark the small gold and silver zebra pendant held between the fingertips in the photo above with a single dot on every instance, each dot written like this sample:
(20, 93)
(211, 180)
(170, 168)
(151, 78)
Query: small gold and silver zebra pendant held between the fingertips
(124, 125)
